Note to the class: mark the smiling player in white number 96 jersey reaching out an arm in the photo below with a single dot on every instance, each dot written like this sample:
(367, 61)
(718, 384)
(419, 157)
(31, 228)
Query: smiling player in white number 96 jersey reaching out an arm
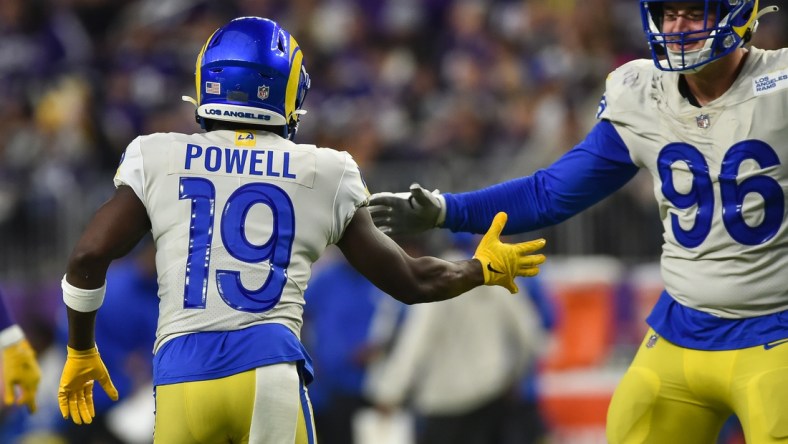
(708, 118)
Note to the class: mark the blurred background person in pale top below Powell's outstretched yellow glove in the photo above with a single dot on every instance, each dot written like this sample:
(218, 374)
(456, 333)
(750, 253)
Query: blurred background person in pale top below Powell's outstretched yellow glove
(458, 363)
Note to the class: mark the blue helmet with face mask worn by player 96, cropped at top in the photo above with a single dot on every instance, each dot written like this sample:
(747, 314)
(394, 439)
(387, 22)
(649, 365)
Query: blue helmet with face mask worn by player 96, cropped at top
(736, 21)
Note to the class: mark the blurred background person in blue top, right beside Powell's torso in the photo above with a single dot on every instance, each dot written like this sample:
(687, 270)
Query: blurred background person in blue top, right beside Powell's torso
(348, 325)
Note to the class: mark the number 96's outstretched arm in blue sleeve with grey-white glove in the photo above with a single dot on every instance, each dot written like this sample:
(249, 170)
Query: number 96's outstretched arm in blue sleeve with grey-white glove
(591, 171)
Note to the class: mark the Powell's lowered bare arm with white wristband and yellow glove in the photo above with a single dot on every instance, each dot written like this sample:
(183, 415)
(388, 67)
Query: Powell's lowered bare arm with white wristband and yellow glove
(114, 230)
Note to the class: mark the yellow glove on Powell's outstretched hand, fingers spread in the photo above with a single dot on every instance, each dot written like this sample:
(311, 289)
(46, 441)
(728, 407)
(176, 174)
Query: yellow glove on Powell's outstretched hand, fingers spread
(501, 262)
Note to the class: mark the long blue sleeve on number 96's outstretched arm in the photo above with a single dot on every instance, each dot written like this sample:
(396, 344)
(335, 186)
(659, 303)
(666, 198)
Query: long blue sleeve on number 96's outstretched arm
(589, 172)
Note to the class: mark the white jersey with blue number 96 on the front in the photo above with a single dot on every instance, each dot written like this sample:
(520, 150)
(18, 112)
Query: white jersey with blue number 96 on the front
(720, 178)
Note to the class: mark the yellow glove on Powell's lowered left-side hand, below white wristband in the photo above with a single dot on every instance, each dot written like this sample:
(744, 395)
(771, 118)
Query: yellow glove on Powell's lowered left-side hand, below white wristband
(75, 394)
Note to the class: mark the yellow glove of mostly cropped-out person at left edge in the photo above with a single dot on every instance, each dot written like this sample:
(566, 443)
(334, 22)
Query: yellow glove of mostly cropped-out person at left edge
(21, 369)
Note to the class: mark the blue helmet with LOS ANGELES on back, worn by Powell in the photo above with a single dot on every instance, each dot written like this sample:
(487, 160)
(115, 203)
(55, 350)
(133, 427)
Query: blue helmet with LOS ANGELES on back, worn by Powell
(251, 71)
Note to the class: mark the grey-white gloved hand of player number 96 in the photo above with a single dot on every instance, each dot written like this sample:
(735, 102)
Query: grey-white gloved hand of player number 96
(406, 213)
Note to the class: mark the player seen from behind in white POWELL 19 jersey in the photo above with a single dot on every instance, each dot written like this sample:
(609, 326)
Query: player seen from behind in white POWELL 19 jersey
(239, 214)
